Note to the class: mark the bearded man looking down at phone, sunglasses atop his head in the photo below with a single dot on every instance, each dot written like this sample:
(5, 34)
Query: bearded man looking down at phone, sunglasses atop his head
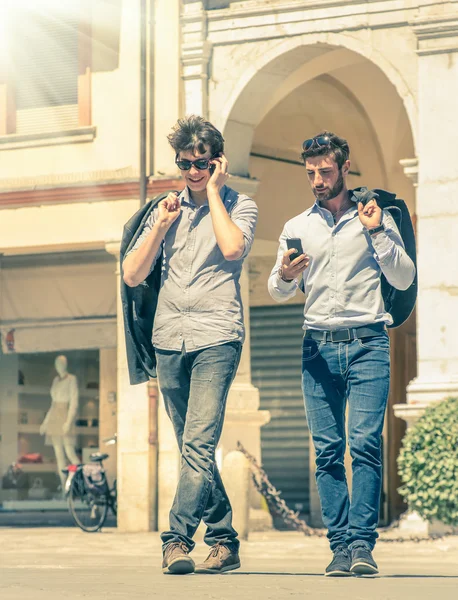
(346, 351)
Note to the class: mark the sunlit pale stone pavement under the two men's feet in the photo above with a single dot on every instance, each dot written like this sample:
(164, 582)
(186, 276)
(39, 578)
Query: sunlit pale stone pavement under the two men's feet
(65, 563)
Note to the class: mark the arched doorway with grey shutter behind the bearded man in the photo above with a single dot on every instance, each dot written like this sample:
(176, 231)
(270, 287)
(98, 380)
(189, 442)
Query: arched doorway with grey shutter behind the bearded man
(287, 97)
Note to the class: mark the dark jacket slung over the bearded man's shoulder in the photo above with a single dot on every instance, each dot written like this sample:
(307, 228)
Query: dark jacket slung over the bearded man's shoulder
(399, 303)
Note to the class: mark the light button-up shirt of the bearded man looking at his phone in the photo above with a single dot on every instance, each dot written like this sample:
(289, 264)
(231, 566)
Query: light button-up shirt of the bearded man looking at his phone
(342, 281)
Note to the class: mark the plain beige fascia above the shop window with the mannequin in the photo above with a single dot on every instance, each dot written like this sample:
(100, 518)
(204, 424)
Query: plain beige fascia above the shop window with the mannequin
(57, 302)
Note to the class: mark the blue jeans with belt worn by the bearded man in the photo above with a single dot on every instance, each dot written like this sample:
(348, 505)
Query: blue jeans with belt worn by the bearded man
(332, 374)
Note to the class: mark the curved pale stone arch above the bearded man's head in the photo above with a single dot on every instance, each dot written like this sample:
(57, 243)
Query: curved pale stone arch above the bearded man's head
(262, 80)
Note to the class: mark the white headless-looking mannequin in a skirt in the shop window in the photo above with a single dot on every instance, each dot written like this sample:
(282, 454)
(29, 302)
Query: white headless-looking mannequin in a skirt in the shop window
(59, 423)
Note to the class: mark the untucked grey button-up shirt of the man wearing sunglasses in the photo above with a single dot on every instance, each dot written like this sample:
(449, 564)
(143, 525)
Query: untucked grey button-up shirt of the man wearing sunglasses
(199, 301)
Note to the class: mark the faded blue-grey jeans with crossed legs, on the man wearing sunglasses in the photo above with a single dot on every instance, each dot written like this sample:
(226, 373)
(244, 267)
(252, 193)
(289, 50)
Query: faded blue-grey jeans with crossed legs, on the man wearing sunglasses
(195, 386)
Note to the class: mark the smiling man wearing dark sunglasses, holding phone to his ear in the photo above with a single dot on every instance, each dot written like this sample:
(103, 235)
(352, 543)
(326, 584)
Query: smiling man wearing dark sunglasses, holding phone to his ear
(204, 235)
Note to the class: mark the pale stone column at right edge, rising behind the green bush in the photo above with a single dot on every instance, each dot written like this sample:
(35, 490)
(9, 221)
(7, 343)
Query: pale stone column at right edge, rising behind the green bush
(437, 221)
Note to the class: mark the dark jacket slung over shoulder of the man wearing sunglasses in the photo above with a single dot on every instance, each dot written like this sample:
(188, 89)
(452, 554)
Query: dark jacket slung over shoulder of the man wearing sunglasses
(139, 303)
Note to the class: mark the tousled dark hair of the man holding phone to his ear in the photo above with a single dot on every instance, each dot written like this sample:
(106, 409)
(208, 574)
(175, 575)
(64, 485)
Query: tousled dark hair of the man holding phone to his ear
(193, 133)
